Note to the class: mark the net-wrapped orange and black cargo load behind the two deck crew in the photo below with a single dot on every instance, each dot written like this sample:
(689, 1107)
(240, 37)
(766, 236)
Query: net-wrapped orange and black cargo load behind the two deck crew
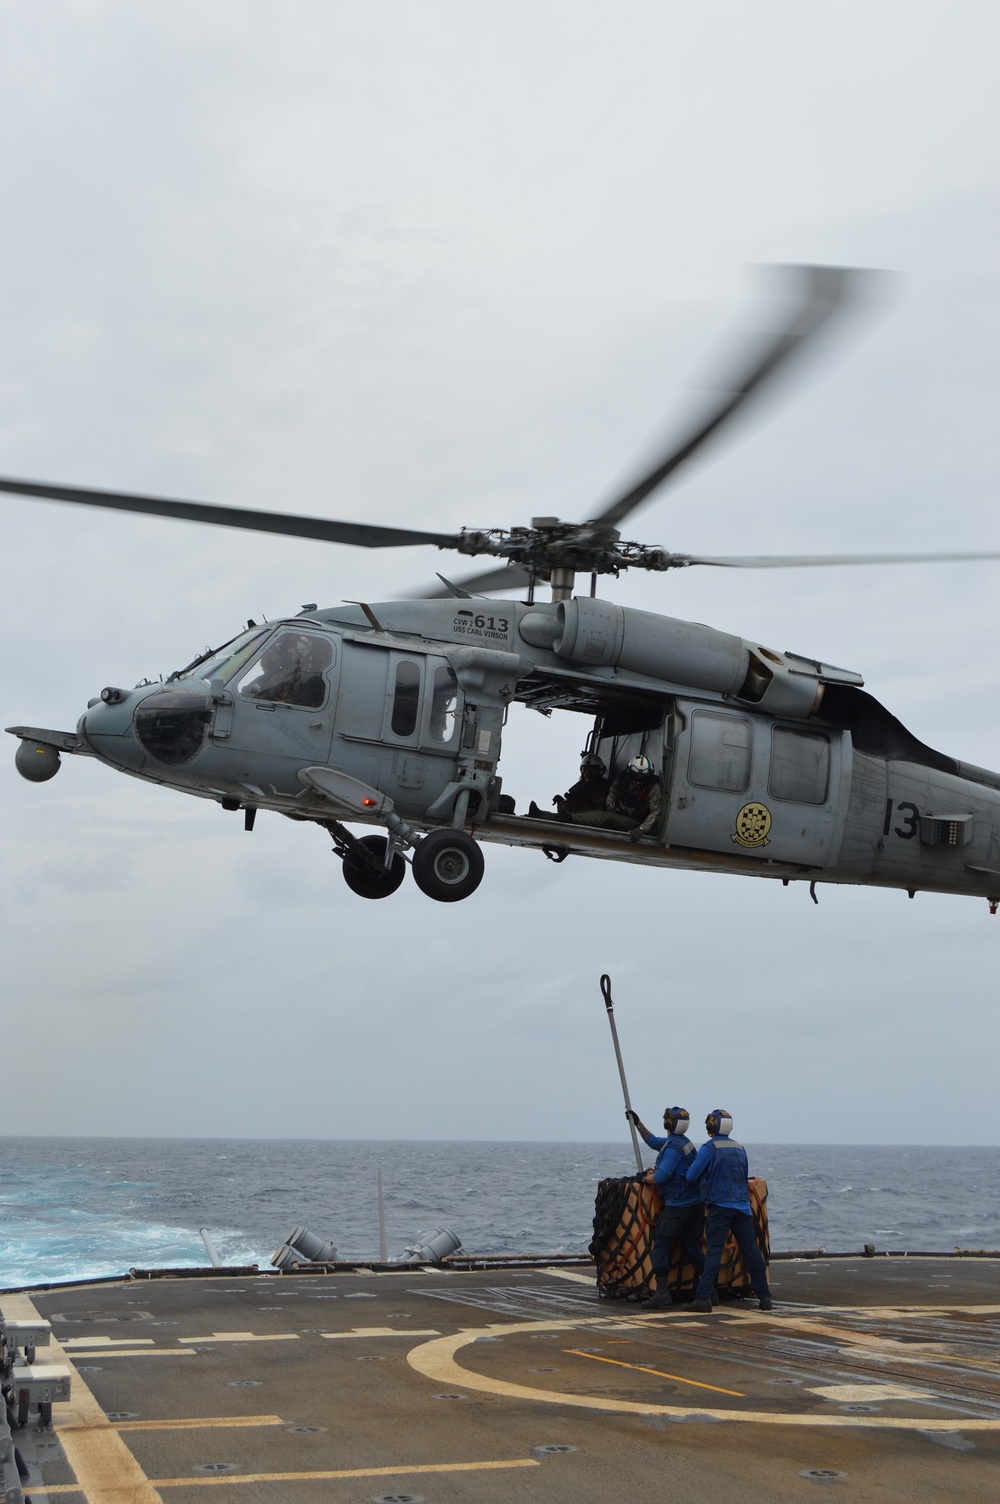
(625, 1220)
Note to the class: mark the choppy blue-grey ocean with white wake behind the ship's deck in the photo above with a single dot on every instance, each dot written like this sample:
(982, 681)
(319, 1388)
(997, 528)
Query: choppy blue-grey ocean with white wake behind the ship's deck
(80, 1208)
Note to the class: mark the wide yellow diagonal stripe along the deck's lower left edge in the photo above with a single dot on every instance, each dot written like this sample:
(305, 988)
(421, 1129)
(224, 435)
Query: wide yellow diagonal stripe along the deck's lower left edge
(106, 1470)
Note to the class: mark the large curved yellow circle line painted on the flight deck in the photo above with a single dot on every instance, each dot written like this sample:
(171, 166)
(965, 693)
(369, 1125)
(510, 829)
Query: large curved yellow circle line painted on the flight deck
(437, 1360)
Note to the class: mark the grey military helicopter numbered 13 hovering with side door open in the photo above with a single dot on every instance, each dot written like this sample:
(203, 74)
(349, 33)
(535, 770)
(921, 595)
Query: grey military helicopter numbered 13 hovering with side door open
(393, 714)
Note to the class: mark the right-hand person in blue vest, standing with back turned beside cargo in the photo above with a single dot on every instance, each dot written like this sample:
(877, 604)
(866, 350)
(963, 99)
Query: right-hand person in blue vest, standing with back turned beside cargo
(721, 1169)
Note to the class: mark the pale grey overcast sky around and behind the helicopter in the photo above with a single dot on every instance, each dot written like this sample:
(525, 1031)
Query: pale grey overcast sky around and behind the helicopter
(447, 264)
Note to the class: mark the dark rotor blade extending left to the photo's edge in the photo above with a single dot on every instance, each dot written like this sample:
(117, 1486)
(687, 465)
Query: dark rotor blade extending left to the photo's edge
(362, 535)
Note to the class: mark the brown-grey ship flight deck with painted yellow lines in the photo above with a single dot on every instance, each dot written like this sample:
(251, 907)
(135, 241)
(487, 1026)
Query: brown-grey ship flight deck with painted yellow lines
(877, 1377)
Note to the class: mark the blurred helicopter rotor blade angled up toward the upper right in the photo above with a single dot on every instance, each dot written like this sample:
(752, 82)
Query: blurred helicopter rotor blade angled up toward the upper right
(828, 291)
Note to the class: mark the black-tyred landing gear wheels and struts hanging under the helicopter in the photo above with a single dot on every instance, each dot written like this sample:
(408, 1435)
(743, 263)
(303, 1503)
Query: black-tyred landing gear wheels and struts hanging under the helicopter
(447, 864)
